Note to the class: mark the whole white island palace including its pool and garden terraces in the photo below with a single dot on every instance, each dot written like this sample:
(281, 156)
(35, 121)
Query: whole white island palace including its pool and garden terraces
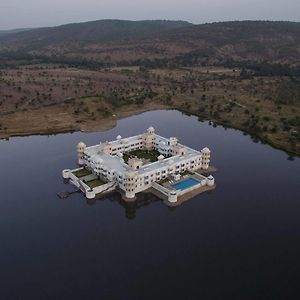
(175, 170)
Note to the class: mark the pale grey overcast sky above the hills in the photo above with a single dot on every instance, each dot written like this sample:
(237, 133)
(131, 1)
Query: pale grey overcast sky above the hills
(38, 13)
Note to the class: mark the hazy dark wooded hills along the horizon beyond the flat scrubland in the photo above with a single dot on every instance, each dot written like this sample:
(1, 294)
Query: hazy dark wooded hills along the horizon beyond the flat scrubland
(117, 41)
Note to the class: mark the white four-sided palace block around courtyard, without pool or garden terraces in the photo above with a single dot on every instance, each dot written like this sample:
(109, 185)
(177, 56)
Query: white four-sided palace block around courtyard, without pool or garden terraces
(106, 160)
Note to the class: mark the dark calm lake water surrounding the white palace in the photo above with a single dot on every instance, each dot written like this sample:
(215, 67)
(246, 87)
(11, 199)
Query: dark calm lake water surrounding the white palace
(240, 241)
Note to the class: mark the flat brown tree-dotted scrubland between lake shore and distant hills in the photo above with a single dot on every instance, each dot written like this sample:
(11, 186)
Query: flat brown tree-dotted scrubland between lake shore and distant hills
(44, 99)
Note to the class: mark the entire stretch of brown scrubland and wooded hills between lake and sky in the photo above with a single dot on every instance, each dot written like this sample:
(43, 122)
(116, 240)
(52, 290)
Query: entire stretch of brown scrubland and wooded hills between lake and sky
(84, 76)
